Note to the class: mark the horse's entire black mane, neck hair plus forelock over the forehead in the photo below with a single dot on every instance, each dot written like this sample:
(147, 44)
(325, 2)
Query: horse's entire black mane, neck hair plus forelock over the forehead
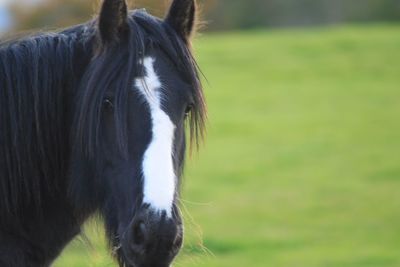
(52, 87)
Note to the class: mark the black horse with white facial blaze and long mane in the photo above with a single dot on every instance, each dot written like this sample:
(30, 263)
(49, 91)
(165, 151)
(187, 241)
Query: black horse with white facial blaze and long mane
(93, 120)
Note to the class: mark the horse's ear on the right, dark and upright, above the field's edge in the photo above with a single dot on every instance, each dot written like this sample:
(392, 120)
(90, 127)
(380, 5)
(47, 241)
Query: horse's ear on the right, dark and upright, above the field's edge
(182, 17)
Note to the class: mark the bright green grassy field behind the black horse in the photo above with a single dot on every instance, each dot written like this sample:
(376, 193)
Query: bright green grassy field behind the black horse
(301, 167)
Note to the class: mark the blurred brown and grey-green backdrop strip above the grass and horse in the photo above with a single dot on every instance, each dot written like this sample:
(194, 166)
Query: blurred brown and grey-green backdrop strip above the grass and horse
(219, 14)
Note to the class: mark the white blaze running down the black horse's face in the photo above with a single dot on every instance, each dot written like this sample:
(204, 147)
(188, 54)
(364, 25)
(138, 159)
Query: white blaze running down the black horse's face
(158, 170)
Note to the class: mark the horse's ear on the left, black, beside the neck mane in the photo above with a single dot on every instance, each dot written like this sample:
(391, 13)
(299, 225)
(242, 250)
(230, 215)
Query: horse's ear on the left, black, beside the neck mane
(112, 20)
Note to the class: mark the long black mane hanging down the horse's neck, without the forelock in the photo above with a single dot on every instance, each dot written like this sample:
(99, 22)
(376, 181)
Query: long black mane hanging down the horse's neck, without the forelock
(36, 74)
